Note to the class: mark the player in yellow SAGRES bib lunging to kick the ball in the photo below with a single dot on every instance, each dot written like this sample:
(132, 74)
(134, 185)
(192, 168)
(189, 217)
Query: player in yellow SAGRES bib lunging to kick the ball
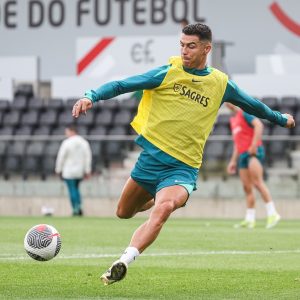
(175, 116)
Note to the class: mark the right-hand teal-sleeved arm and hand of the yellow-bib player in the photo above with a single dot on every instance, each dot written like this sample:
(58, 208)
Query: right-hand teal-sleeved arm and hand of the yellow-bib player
(236, 96)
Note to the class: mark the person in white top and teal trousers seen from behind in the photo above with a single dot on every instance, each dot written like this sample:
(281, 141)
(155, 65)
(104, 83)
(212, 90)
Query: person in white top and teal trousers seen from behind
(73, 164)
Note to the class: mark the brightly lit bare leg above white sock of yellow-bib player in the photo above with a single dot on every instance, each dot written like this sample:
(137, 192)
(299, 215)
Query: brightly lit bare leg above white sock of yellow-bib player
(167, 200)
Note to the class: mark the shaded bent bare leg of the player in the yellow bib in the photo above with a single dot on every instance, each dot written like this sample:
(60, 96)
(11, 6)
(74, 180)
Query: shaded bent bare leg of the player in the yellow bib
(133, 199)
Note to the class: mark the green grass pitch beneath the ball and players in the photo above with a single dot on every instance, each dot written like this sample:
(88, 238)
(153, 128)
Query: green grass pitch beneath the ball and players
(191, 259)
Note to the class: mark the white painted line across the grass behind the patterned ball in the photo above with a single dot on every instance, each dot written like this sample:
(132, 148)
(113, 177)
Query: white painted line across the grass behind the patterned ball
(183, 253)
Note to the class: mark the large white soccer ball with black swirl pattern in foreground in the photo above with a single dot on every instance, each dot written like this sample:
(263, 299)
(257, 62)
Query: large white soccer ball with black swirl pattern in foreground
(42, 242)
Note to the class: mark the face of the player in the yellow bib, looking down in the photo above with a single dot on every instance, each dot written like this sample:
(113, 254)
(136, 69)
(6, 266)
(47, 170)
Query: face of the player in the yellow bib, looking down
(193, 51)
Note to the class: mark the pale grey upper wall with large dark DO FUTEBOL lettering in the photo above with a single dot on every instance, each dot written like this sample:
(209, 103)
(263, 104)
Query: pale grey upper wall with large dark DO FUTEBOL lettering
(250, 25)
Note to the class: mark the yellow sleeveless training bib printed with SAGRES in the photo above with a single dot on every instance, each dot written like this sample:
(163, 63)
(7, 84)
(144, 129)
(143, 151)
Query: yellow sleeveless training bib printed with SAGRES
(177, 116)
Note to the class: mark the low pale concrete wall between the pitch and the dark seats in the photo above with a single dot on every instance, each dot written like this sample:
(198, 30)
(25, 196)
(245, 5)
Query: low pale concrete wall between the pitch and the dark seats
(213, 199)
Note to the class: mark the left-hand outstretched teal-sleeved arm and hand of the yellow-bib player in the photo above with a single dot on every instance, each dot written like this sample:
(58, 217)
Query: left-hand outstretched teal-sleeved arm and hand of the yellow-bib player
(146, 81)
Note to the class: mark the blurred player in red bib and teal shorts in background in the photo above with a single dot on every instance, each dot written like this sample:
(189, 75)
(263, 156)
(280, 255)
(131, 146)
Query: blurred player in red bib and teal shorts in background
(248, 156)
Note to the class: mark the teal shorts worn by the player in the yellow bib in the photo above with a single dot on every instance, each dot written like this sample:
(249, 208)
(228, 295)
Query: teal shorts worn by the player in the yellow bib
(153, 175)
